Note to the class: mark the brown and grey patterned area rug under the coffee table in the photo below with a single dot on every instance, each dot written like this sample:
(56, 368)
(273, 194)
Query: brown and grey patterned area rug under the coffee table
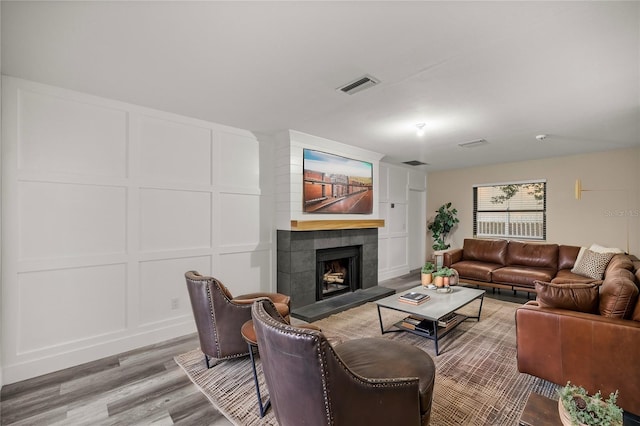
(477, 382)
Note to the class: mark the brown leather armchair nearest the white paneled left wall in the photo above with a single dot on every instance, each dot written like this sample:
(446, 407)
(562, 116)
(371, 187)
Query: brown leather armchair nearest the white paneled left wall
(219, 316)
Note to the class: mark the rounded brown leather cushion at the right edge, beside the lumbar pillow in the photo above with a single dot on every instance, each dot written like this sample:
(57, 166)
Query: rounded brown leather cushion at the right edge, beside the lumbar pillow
(618, 294)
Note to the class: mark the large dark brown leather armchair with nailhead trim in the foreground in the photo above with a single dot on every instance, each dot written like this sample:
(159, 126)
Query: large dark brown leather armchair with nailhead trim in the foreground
(358, 382)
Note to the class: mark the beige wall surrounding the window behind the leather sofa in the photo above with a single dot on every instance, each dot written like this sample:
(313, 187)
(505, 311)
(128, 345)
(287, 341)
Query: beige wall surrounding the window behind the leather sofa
(607, 214)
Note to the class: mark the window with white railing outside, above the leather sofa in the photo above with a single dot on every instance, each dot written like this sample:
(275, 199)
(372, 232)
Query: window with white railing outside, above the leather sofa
(511, 210)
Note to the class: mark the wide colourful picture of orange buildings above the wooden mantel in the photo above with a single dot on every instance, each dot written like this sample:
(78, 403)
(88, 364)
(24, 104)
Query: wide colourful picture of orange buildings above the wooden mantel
(334, 184)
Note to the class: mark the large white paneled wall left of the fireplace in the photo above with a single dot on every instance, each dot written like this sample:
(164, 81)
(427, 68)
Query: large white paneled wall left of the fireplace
(105, 205)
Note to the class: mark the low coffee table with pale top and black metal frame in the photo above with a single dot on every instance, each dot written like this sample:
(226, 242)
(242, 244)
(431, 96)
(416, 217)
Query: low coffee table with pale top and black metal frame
(431, 312)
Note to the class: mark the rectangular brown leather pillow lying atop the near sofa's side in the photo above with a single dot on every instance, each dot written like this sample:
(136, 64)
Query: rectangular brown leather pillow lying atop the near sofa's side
(576, 297)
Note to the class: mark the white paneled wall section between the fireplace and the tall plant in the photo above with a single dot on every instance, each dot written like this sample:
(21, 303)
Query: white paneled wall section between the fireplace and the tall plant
(396, 240)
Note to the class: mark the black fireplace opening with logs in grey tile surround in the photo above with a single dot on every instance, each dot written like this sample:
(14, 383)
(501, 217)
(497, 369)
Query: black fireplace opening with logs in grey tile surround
(338, 271)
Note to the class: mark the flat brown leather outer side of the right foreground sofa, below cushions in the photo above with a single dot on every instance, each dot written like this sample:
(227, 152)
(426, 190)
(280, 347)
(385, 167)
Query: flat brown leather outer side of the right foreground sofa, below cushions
(592, 351)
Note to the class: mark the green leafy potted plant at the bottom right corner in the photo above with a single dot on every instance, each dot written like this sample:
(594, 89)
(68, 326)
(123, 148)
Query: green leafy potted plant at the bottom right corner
(576, 407)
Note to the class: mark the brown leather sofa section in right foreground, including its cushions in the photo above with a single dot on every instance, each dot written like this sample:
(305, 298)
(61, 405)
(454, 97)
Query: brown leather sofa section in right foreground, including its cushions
(561, 337)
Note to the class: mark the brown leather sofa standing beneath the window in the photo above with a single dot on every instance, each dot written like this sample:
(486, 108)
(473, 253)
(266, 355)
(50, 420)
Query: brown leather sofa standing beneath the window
(513, 265)
